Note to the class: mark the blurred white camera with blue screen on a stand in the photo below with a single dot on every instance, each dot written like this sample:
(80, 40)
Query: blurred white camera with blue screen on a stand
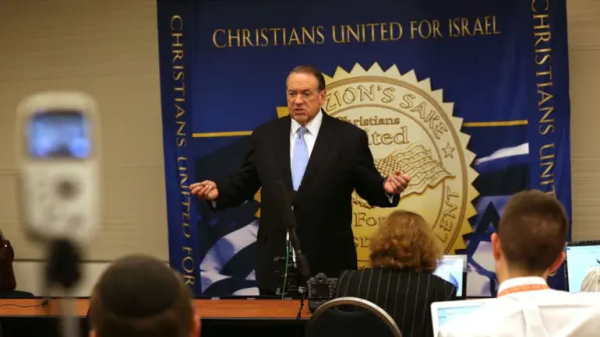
(58, 153)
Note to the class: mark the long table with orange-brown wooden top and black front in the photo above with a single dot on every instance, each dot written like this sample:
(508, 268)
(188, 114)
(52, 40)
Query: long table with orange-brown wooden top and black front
(220, 317)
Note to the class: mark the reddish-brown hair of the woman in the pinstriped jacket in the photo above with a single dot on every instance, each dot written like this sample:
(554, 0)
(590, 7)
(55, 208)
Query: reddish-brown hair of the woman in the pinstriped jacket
(405, 241)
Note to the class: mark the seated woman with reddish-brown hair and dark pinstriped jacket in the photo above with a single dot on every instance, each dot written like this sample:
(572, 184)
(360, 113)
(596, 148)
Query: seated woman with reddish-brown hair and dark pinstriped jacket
(404, 254)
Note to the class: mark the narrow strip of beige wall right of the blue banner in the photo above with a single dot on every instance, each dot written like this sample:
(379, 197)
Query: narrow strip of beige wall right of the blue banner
(584, 64)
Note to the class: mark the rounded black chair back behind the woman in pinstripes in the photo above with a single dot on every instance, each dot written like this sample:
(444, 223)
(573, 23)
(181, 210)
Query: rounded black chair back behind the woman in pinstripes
(349, 317)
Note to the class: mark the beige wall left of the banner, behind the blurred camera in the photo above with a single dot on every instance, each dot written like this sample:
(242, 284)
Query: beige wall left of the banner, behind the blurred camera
(109, 49)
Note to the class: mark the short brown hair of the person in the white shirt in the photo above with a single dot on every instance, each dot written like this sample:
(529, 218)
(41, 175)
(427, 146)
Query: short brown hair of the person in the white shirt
(533, 230)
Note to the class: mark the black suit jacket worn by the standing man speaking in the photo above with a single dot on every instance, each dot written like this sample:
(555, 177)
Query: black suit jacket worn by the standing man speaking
(340, 162)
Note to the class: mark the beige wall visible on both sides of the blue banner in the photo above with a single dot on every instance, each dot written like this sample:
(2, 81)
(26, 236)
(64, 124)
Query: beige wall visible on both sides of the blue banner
(109, 48)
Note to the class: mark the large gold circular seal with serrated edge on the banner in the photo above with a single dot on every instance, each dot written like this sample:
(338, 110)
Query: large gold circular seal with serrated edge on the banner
(410, 129)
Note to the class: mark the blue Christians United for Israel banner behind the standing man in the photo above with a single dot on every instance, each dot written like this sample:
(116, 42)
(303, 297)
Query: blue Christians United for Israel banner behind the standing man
(469, 97)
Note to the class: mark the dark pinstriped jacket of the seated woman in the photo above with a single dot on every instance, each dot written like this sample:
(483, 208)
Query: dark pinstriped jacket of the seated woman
(405, 295)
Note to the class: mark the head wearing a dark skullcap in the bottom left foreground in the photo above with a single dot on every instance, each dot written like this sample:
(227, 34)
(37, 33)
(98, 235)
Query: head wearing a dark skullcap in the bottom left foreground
(141, 296)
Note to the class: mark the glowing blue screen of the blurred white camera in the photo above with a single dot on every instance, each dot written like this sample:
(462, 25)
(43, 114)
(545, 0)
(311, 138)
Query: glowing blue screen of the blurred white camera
(59, 135)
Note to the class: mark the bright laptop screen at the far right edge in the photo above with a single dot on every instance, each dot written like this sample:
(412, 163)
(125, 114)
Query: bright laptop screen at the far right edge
(581, 257)
